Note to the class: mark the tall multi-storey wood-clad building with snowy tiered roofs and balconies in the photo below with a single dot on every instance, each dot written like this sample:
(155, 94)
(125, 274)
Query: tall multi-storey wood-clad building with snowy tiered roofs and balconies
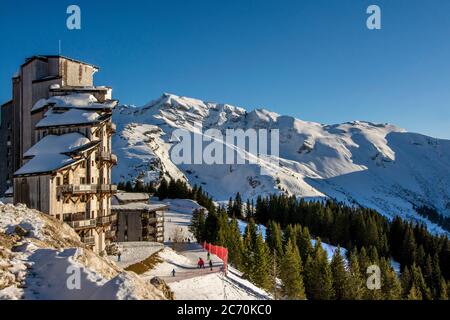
(61, 157)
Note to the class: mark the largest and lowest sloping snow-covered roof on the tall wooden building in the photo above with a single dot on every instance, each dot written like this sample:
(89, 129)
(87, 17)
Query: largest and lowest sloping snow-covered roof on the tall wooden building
(52, 153)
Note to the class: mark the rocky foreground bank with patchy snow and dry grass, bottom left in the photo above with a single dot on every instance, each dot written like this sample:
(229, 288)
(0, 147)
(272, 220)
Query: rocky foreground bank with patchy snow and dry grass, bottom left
(43, 259)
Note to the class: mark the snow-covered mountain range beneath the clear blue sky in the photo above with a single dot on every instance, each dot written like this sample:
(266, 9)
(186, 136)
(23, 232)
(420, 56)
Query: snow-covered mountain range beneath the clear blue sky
(375, 165)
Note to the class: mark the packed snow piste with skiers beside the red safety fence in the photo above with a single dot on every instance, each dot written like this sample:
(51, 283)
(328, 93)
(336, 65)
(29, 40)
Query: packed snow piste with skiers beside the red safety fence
(191, 283)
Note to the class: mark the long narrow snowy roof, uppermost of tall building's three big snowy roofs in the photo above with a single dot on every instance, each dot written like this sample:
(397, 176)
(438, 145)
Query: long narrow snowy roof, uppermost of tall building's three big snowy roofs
(75, 100)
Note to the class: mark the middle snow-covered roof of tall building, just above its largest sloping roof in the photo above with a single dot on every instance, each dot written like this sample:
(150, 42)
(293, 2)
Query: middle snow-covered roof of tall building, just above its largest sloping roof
(70, 117)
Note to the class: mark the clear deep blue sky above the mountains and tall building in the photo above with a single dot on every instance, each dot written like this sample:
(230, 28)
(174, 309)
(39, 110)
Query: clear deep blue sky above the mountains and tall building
(314, 59)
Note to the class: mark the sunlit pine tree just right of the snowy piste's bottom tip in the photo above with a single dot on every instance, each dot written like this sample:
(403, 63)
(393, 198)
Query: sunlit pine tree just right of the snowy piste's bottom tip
(291, 273)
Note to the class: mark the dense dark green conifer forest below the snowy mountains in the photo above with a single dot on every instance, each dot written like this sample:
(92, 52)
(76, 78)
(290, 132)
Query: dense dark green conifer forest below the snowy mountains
(305, 270)
